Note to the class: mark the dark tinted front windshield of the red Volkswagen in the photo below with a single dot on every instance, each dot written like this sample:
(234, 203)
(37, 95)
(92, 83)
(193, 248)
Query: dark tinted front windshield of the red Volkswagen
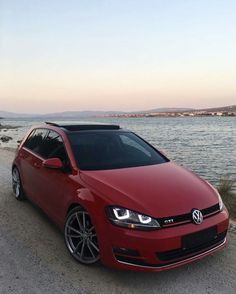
(112, 150)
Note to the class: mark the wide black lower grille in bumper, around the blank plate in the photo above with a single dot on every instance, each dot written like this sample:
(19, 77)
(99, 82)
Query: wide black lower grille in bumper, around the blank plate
(193, 244)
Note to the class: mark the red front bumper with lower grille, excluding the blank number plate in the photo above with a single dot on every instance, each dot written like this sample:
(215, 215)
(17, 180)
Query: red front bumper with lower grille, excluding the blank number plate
(144, 250)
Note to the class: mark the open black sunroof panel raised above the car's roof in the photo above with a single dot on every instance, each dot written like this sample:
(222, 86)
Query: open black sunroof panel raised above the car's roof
(83, 127)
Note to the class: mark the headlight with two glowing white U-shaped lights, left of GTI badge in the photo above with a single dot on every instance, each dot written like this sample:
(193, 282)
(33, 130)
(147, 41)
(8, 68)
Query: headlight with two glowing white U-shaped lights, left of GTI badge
(129, 219)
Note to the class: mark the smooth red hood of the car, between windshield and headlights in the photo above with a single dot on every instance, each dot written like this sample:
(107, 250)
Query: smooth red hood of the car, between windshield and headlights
(157, 190)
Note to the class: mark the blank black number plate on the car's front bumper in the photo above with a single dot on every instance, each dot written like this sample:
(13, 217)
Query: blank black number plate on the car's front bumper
(200, 238)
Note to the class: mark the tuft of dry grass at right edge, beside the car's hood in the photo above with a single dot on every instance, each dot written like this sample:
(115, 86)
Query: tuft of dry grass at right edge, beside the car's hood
(226, 190)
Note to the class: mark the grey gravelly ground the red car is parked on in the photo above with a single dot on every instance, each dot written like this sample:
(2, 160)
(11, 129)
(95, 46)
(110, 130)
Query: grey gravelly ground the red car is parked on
(33, 258)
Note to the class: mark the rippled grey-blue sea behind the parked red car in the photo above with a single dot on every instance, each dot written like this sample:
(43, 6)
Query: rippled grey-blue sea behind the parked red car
(206, 145)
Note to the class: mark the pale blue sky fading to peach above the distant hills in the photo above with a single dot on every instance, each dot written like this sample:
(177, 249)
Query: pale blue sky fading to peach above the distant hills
(116, 55)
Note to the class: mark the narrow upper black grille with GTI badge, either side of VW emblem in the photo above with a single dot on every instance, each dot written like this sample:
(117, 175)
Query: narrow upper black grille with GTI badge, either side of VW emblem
(187, 218)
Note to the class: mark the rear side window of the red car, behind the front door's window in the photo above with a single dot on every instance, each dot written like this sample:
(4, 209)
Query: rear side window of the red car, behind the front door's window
(35, 140)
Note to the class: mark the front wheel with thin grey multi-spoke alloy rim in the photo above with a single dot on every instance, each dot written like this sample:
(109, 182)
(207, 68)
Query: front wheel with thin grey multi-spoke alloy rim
(80, 236)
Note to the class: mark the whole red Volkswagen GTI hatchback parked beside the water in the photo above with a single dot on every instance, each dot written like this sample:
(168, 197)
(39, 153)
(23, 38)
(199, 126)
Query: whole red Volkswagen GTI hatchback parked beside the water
(117, 198)
